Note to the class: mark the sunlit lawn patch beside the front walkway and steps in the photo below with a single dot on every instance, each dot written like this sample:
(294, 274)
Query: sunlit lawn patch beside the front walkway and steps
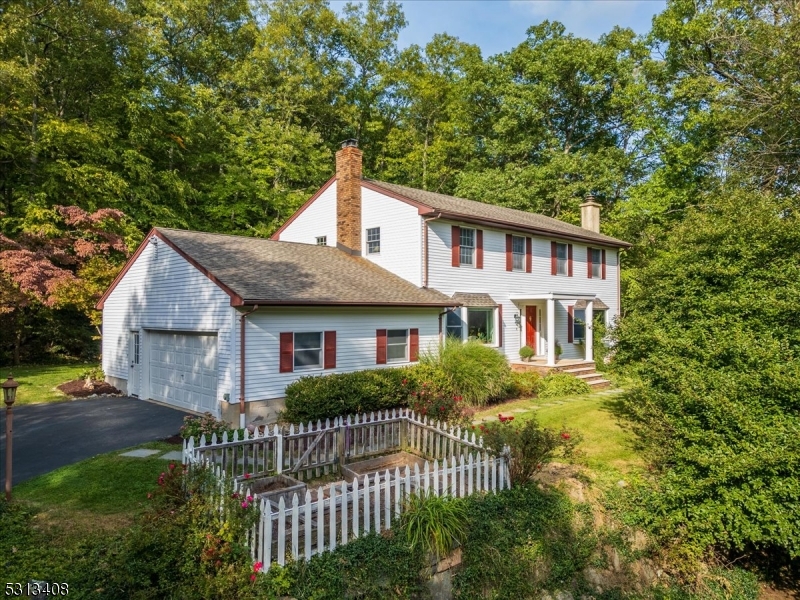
(608, 445)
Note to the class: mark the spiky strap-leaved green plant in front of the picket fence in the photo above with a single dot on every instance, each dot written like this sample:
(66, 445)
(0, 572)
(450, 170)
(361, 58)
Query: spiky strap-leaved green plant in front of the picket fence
(433, 524)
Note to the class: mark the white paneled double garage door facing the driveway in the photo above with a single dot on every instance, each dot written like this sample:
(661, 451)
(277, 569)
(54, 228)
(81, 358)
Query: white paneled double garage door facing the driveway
(183, 369)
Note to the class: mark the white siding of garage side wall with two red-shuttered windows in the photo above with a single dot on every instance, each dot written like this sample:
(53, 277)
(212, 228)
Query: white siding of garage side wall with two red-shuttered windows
(355, 340)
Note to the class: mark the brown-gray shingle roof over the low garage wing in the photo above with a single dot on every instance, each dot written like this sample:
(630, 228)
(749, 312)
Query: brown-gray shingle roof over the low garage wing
(271, 272)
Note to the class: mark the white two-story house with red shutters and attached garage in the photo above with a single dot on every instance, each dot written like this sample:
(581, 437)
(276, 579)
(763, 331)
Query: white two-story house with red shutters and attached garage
(366, 274)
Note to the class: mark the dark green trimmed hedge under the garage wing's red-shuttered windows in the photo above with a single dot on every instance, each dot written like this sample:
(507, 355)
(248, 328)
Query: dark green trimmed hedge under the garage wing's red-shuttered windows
(314, 397)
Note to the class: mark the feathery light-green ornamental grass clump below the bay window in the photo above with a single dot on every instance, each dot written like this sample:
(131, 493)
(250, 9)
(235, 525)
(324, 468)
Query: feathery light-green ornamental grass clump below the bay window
(476, 372)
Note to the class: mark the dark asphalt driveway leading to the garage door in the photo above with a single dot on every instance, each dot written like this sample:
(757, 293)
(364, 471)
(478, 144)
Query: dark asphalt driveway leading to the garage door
(48, 436)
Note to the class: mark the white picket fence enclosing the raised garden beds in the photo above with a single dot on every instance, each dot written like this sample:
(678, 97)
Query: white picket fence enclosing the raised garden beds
(320, 520)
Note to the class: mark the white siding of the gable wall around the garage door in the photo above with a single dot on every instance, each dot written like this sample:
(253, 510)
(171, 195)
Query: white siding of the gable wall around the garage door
(163, 292)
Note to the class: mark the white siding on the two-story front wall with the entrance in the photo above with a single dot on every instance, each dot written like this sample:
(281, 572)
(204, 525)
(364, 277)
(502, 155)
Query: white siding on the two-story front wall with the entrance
(500, 284)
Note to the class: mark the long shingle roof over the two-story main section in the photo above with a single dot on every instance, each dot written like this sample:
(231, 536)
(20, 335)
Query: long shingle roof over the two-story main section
(454, 207)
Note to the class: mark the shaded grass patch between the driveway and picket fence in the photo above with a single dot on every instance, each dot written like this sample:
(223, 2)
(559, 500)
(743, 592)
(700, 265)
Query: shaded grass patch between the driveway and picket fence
(106, 485)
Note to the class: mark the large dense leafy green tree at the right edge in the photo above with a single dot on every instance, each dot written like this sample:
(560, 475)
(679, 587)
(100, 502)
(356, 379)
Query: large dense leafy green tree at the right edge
(712, 334)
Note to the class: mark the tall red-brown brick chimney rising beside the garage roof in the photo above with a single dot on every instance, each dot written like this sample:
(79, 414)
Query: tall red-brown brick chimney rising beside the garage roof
(348, 198)
